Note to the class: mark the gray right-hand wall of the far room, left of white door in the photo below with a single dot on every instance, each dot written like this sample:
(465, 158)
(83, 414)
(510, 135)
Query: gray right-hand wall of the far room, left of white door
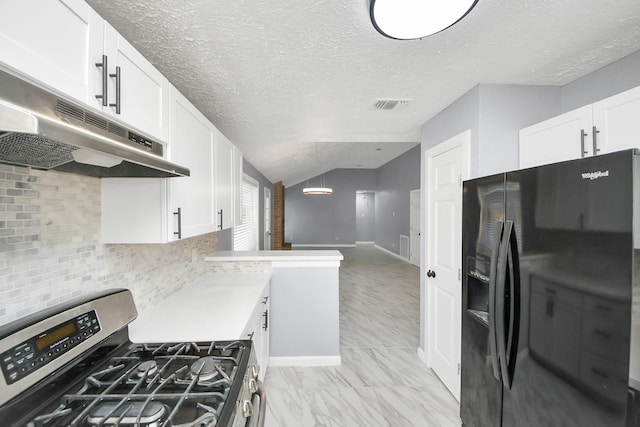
(395, 180)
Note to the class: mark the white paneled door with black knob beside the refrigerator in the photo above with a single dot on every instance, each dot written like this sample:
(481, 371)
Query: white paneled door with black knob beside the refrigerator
(446, 166)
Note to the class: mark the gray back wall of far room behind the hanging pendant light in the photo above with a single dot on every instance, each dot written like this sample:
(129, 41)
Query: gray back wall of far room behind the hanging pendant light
(326, 220)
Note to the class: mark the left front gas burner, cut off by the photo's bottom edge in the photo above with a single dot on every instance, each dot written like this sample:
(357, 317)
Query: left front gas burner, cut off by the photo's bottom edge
(142, 414)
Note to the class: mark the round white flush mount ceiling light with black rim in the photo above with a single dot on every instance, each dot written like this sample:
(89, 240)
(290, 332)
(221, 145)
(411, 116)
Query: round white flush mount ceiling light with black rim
(415, 19)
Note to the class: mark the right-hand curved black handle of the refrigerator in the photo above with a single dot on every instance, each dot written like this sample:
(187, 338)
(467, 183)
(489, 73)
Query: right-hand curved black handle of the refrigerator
(508, 361)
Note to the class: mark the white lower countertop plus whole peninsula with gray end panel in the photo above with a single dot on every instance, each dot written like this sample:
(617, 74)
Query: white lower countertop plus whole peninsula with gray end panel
(286, 301)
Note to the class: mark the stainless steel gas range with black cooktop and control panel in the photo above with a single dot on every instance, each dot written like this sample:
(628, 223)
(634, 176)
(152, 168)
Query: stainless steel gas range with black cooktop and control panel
(73, 365)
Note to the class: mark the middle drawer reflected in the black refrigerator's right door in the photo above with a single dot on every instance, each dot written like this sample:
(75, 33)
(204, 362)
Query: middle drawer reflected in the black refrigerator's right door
(604, 337)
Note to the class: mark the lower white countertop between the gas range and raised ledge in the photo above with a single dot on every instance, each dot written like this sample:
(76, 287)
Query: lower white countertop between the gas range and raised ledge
(216, 306)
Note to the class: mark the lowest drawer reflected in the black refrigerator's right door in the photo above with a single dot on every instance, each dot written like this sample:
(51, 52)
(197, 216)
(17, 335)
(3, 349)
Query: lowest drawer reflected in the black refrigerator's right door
(603, 375)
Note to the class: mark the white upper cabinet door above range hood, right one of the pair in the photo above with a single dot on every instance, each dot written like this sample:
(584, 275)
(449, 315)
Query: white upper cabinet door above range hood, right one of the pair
(137, 93)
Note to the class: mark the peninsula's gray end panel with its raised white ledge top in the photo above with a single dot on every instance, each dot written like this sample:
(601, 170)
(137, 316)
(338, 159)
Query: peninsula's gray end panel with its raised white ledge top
(304, 301)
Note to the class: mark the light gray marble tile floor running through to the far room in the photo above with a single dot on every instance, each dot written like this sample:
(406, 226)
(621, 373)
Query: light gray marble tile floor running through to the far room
(381, 381)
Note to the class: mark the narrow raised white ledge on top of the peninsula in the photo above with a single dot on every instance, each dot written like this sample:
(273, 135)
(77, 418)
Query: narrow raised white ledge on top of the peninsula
(294, 255)
